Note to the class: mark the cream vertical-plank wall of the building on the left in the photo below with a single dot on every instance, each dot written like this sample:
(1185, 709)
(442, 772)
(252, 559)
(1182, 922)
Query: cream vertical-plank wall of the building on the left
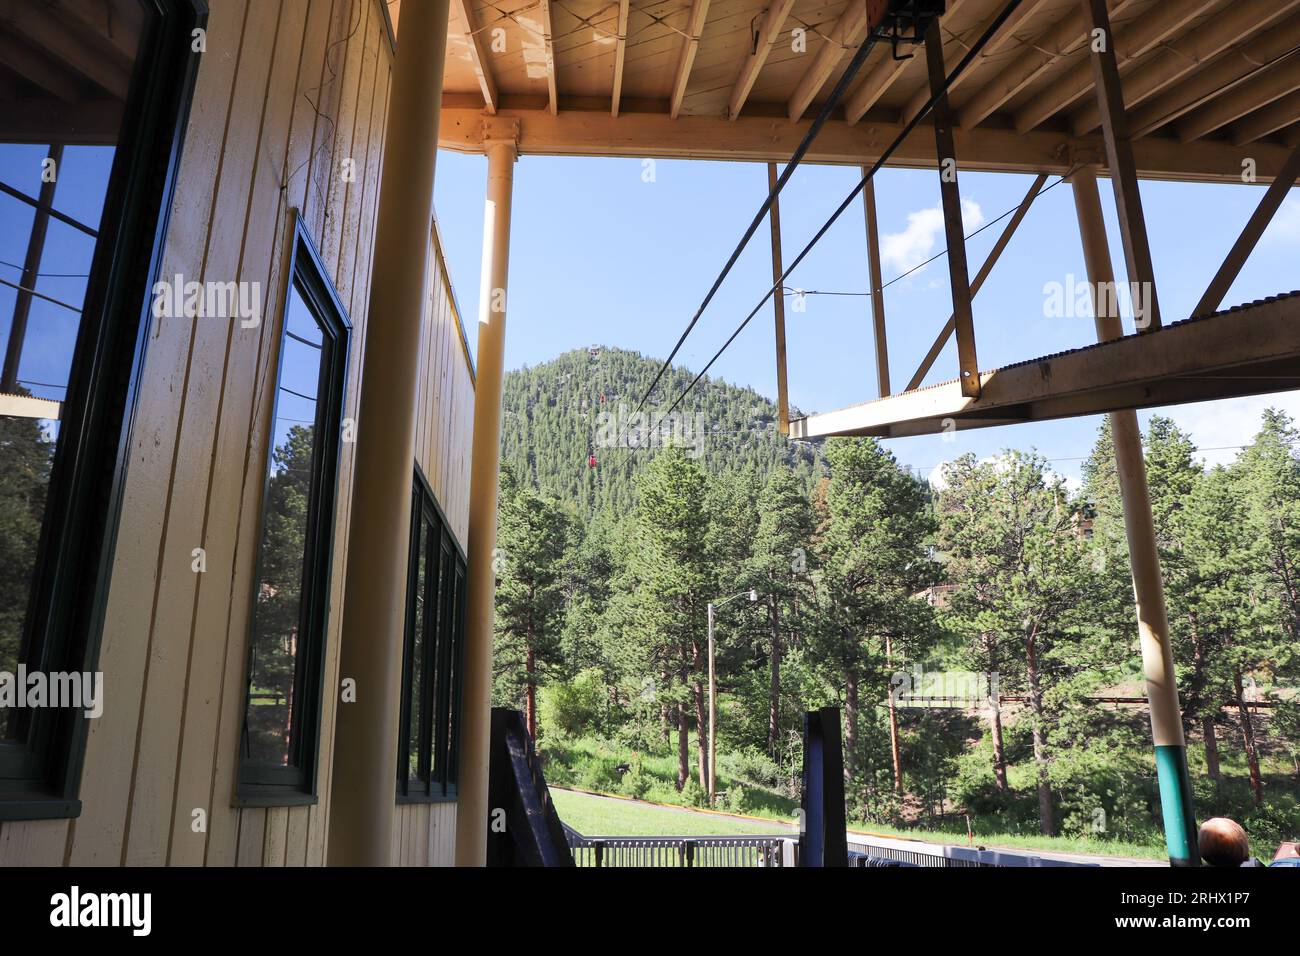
(287, 93)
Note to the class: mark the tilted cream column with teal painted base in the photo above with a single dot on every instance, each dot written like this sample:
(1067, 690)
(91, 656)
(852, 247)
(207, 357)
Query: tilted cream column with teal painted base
(1158, 654)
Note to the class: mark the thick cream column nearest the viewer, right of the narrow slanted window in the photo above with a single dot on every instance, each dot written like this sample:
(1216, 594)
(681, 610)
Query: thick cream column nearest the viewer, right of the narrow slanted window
(366, 736)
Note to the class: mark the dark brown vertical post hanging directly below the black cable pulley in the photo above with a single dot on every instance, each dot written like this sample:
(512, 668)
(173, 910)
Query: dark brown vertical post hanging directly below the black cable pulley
(959, 272)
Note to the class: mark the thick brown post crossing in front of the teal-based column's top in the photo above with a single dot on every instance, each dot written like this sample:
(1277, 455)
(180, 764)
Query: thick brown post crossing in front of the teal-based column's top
(1124, 168)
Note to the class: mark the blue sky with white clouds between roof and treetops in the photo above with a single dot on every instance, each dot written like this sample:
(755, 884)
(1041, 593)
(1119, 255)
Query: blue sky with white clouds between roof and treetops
(601, 257)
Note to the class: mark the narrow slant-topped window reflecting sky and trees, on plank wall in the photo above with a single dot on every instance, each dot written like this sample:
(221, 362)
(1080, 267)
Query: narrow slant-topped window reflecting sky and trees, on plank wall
(291, 609)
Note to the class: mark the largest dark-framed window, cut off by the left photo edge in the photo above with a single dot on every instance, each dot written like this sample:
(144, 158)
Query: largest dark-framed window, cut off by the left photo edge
(92, 128)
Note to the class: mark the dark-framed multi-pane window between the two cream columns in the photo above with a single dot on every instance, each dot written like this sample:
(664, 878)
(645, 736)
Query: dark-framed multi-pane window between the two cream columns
(430, 742)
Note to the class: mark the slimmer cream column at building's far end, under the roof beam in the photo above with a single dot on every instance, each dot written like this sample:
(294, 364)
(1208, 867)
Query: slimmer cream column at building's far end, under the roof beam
(500, 144)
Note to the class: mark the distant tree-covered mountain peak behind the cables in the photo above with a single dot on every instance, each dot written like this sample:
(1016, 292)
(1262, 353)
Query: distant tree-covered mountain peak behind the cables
(558, 416)
